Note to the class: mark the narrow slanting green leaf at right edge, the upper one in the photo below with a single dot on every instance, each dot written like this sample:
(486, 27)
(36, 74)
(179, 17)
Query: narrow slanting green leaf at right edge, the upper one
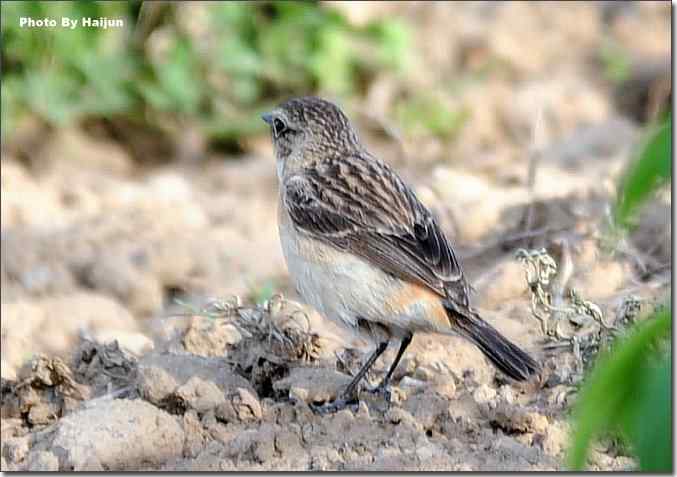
(650, 170)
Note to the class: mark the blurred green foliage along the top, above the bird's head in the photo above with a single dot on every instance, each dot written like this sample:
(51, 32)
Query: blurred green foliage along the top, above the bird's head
(217, 72)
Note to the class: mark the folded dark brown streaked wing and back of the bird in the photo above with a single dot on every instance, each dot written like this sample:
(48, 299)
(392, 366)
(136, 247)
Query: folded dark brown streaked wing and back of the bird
(360, 205)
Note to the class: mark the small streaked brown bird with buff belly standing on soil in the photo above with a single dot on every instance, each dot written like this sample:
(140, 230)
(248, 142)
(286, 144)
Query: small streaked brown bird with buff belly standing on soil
(364, 251)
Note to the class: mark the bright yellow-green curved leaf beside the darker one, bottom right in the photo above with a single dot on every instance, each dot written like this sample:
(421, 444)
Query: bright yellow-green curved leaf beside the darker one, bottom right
(611, 392)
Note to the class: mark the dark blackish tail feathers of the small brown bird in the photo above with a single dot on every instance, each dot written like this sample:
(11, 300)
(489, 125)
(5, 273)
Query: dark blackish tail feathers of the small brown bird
(506, 356)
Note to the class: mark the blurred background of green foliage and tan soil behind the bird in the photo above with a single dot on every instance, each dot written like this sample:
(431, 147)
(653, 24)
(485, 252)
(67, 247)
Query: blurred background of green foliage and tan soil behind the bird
(136, 169)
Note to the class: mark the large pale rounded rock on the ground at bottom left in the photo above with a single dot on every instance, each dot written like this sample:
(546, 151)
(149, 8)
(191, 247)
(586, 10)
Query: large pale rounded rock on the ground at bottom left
(117, 435)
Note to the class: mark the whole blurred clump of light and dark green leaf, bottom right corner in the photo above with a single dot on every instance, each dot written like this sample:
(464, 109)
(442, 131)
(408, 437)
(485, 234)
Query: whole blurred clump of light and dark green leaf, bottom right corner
(630, 391)
